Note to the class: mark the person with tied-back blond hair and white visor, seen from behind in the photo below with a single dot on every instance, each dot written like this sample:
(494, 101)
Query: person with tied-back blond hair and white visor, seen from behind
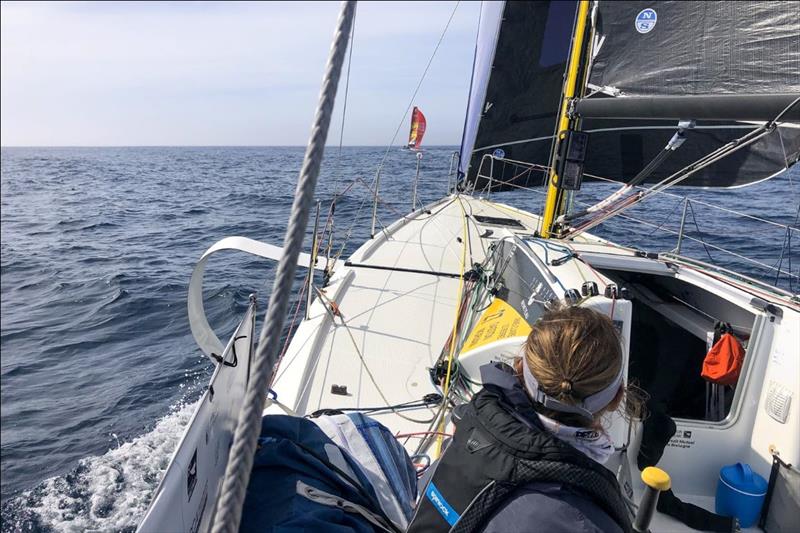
(529, 448)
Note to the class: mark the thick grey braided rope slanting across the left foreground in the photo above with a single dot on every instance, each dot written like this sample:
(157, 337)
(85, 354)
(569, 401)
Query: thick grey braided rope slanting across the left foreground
(240, 462)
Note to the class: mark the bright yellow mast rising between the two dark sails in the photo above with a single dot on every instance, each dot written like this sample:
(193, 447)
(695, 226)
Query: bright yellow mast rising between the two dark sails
(554, 204)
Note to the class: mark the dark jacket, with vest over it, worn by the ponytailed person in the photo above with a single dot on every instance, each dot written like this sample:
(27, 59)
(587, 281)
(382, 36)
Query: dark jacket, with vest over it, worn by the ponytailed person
(504, 472)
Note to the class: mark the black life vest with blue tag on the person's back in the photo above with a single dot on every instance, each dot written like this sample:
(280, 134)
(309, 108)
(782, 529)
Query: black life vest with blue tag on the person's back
(496, 449)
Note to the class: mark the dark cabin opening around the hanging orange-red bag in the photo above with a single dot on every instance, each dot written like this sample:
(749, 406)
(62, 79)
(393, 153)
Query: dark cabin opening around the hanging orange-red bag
(672, 330)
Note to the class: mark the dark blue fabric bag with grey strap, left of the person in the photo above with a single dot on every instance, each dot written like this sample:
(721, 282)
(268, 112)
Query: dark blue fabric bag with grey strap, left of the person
(303, 481)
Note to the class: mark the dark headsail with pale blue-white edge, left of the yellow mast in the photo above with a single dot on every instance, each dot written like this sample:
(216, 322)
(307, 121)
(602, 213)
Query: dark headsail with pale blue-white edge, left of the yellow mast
(520, 60)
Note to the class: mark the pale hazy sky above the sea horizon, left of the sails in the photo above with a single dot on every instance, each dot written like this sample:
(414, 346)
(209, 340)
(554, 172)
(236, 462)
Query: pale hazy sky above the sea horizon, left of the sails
(206, 73)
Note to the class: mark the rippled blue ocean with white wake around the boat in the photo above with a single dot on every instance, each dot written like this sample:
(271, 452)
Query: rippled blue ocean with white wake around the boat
(99, 370)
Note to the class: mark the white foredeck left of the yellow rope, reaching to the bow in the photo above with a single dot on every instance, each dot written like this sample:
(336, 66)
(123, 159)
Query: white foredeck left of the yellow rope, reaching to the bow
(397, 296)
